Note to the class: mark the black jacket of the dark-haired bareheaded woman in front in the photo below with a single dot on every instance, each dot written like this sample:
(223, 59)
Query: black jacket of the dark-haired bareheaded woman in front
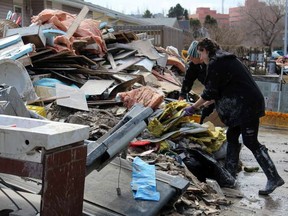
(237, 96)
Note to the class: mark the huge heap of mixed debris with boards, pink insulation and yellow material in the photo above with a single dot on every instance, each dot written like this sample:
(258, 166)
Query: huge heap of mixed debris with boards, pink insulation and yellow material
(70, 69)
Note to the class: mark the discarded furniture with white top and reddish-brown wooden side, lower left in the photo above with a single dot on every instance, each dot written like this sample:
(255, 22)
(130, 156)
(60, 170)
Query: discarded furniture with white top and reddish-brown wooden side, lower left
(60, 164)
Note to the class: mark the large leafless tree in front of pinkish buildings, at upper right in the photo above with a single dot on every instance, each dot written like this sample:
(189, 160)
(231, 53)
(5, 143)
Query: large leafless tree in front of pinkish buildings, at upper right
(264, 22)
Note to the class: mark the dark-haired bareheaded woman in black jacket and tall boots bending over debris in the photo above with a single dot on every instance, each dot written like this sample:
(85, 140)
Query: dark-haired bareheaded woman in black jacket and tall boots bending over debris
(239, 103)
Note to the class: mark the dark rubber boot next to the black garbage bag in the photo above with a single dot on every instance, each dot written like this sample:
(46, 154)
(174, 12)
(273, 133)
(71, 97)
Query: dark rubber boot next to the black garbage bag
(232, 158)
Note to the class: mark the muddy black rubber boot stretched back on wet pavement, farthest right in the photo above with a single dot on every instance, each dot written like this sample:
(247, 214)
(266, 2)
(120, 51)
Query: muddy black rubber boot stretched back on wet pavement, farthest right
(264, 160)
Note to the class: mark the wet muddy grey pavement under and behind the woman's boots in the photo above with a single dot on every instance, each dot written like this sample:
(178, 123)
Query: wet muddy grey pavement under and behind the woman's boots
(249, 183)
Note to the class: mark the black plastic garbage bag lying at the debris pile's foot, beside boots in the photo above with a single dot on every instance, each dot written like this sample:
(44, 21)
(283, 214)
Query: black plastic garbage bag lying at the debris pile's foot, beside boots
(203, 166)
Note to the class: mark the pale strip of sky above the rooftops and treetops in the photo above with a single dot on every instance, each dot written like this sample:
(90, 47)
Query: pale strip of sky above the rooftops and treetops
(163, 6)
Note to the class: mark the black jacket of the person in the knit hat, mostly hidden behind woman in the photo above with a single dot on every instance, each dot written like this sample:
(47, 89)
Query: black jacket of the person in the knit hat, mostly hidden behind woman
(194, 71)
